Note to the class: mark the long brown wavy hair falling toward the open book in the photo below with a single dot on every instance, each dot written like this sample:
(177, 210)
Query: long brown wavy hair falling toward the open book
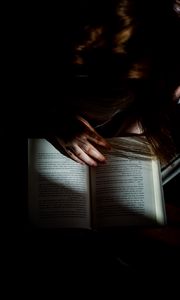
(123, 56)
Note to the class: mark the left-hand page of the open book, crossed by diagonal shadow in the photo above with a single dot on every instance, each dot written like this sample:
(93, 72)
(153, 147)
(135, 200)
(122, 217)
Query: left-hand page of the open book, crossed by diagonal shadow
(58, 188)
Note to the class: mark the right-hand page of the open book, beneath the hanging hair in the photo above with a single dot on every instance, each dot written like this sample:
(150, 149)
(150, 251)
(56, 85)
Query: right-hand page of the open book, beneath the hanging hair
(127, 190)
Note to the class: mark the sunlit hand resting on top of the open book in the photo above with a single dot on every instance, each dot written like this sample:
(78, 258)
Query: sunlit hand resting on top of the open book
(80, 145)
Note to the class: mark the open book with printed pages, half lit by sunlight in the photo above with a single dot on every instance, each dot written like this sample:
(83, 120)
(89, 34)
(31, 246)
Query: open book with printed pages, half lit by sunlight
(64, 194)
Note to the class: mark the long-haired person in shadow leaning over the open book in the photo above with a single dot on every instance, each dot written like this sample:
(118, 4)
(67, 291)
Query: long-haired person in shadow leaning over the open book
(122, 69)
